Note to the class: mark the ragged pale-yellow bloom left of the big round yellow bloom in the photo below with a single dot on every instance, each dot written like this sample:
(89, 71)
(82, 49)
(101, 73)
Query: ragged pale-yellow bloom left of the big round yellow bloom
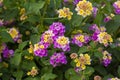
(65, 13)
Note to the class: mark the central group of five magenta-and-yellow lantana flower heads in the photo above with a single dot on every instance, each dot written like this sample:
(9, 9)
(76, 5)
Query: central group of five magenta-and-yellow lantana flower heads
(54, 35)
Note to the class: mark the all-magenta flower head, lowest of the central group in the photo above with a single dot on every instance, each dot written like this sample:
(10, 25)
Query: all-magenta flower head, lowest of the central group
(58, 59)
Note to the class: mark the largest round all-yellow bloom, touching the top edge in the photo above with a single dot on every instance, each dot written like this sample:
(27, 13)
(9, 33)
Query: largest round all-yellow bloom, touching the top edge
(84, 8)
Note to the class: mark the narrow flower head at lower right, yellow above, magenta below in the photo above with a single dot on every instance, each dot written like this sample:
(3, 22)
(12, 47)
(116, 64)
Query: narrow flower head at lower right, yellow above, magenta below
(106, 58)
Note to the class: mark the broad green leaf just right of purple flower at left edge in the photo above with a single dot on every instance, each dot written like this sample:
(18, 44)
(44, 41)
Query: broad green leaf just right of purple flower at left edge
(16, 59)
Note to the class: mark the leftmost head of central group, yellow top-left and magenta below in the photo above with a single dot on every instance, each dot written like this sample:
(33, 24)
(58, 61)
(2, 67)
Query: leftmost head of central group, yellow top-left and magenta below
(40, 49)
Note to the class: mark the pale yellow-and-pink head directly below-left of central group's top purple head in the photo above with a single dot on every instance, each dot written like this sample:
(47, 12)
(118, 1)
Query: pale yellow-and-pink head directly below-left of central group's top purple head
(48, 37)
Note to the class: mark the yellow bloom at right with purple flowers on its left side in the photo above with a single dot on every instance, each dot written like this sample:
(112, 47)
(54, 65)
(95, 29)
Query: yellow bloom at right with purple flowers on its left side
(101, 35)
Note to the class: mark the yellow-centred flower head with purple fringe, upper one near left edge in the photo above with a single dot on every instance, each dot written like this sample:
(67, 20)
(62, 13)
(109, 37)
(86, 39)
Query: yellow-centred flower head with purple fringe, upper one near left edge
(14, 33)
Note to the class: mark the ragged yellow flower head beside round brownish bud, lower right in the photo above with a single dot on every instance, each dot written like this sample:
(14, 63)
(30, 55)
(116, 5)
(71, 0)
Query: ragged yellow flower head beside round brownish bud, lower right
(82, 61)
